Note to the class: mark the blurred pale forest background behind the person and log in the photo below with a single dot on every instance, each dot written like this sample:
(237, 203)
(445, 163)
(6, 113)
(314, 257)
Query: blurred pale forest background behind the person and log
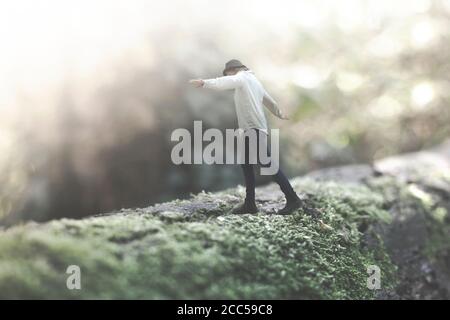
(90, 91)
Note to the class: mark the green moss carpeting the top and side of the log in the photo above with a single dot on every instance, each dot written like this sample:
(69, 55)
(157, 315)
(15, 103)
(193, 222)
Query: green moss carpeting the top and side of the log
(203, 253)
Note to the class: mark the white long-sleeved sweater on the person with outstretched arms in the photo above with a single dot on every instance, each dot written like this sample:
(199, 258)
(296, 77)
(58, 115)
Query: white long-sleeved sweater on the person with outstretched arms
(249, 97)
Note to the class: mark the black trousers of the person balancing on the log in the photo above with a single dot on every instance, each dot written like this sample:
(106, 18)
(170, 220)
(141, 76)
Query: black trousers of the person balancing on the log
(249, 173)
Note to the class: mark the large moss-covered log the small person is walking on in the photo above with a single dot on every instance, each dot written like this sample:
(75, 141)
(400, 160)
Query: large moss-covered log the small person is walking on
(393, 214)
